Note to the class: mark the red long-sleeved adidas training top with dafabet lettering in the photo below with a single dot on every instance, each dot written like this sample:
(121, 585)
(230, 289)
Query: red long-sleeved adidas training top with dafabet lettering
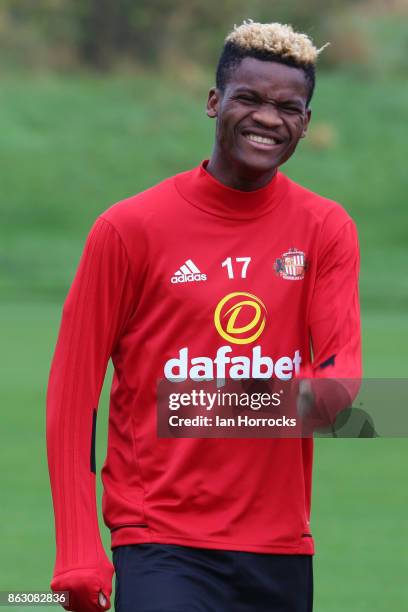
(155, 270)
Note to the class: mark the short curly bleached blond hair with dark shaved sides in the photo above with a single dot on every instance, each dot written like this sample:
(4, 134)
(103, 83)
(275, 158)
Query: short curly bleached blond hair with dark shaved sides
(273, 42)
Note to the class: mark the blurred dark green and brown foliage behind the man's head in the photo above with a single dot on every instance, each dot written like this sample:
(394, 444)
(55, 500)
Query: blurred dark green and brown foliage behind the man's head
(102, 32)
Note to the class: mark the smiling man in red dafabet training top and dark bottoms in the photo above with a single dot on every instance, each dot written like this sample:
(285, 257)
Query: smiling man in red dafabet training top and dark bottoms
(169, 282)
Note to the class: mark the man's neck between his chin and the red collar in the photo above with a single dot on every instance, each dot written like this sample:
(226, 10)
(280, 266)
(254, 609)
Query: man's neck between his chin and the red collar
(237, 177)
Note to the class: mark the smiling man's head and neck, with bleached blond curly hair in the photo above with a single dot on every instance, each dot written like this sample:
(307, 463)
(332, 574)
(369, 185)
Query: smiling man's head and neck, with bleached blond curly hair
(265, 81)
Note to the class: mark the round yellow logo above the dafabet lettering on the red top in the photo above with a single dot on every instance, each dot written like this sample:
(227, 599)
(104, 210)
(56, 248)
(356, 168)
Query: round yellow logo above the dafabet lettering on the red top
(240, 317)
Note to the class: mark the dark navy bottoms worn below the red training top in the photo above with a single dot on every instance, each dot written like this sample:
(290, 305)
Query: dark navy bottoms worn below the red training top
(173, 578)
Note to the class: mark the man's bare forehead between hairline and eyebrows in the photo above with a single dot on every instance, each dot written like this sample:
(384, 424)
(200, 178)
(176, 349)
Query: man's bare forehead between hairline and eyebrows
(269, 79)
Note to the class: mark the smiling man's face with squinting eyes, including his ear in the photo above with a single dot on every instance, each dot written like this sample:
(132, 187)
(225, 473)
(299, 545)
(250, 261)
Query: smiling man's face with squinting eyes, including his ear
(261, 115)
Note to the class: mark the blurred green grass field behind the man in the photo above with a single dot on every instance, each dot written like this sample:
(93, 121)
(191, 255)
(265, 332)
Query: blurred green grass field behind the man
(69, 148)
